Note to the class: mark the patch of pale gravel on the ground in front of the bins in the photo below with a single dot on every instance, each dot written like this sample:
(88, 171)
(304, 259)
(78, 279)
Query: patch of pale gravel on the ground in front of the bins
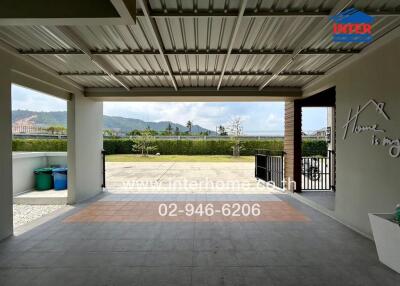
(24, 214)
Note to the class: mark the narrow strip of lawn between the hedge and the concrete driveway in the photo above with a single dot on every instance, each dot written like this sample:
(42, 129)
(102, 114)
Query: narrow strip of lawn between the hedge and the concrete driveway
(177, 158)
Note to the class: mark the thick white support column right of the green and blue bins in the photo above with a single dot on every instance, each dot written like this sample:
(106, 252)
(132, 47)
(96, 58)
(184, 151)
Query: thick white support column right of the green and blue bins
(85, 142)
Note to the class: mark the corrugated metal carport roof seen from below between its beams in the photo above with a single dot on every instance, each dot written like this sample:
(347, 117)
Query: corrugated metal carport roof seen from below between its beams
(210, 35)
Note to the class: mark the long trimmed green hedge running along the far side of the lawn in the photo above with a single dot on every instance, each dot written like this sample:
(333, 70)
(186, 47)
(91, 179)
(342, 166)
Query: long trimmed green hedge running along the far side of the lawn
(174, 147)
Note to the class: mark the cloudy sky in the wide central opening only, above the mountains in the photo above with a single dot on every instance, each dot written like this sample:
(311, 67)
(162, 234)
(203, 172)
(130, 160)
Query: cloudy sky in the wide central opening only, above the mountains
(257, 117)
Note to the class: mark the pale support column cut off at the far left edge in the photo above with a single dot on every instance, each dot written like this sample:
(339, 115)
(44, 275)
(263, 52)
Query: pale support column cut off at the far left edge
(6, 197)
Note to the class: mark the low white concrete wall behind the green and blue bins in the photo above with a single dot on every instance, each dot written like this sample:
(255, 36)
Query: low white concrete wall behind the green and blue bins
(25, 162)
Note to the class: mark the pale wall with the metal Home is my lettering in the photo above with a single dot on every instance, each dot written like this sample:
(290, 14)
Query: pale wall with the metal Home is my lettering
(367, 177)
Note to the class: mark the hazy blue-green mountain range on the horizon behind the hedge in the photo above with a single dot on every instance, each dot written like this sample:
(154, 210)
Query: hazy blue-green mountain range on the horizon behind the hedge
(122, 124)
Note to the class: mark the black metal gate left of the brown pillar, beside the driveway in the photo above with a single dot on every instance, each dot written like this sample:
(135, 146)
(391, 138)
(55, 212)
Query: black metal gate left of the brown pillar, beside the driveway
(269, 166)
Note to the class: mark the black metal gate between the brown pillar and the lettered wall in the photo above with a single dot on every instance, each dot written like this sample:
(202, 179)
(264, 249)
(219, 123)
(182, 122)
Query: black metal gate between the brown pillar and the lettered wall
(317, 172)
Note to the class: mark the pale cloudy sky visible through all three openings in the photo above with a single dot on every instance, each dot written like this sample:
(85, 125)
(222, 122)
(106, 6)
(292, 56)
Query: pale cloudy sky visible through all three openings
(259, 118)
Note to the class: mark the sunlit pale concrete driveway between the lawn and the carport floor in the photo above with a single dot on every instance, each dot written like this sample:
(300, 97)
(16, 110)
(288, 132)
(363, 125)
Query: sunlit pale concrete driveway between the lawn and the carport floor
(183, 177)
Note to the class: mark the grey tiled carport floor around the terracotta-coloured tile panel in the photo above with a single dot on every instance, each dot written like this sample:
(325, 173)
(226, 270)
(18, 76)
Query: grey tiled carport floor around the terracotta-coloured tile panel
(319, 251)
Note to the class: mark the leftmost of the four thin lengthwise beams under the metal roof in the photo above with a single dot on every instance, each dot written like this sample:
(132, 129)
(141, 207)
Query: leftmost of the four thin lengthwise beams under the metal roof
(97, 60)
